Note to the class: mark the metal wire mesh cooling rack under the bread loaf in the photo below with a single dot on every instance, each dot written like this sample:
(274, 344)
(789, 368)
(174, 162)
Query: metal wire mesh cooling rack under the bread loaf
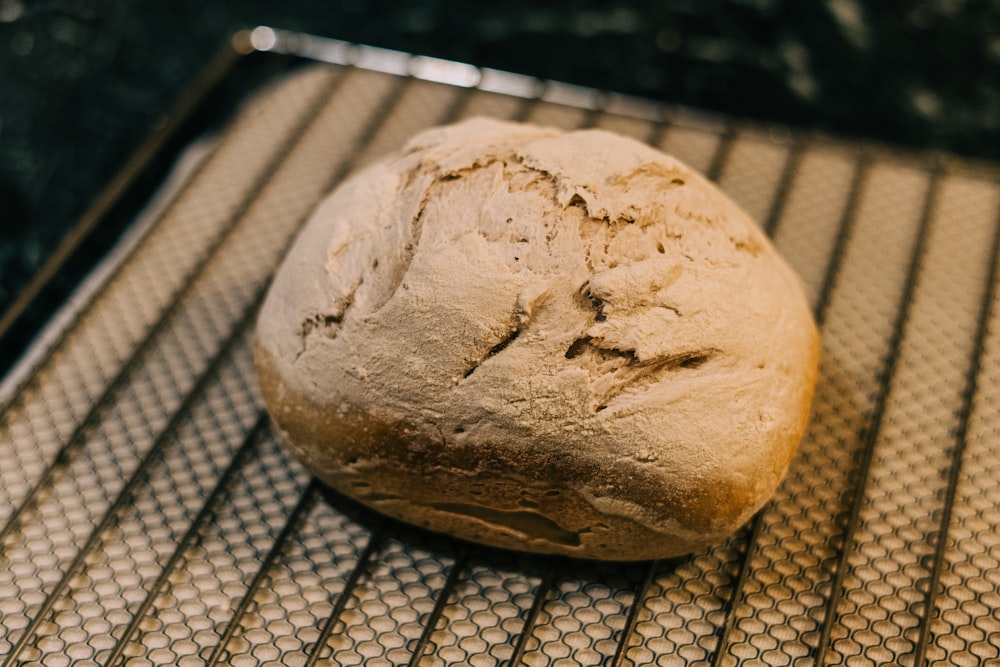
(151, 517)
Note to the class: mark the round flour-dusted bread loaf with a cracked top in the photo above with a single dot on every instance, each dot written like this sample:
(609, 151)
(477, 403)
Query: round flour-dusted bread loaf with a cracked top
(554, 342)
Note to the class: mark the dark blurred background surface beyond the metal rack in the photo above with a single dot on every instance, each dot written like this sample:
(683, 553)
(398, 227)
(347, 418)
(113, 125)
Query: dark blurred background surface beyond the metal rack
(83, 82)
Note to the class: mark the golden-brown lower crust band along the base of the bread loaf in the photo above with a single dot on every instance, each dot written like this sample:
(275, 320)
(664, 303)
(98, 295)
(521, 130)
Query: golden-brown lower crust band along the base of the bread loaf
(520, 509)
